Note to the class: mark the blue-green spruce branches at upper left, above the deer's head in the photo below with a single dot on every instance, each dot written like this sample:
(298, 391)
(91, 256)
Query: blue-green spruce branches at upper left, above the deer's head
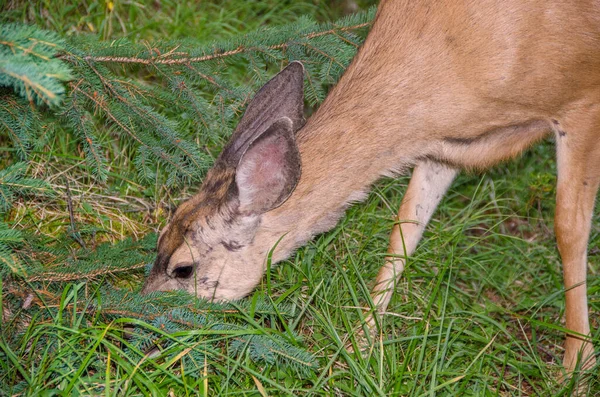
(166, 98)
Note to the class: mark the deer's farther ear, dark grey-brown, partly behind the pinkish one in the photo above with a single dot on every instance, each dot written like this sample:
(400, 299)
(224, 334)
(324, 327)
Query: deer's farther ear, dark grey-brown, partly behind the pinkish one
(282, 96)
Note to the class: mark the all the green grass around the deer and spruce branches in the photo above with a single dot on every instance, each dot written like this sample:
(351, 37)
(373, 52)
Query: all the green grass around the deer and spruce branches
(479, 310)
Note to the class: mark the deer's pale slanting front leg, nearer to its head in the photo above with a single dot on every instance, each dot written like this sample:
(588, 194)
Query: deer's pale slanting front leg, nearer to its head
(428, 184)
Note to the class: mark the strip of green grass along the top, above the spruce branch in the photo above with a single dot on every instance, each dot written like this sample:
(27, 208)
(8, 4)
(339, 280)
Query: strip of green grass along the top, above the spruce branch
(160, 20)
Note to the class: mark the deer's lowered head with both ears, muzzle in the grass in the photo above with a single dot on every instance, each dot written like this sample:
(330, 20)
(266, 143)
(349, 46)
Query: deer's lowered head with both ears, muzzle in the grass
(209, 247)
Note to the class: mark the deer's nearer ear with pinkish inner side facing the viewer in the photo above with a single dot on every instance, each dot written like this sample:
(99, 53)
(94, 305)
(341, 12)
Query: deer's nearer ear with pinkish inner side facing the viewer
(269, 169)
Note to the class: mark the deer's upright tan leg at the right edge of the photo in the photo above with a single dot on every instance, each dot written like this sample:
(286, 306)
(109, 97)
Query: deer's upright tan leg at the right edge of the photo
(578, 159)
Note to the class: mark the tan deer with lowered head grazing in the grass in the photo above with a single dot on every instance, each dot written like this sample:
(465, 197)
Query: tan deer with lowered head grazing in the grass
(437, 86)
